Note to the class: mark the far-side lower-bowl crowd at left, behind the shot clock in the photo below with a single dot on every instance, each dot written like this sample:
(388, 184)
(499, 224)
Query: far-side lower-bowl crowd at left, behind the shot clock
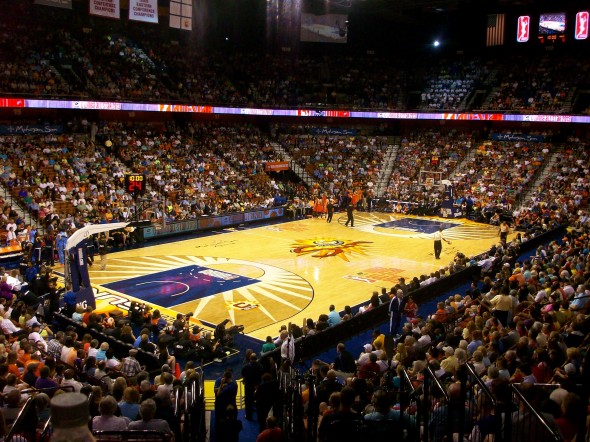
(68, 176)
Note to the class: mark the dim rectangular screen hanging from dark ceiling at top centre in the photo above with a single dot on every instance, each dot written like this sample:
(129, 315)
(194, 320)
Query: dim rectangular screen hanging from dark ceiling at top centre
(326, 28)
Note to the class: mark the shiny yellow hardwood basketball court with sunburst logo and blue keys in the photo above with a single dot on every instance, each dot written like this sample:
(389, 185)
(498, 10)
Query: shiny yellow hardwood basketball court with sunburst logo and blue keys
(265, 276)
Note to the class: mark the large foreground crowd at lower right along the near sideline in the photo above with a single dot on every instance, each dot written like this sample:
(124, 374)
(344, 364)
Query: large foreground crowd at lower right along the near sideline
(525, 322)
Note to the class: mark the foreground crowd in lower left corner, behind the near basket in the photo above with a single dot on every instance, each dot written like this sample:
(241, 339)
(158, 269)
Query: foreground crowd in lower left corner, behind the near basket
(37, 363)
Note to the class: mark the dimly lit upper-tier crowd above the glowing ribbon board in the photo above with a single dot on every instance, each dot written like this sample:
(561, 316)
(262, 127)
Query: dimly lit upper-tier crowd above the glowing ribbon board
(77, 60)
